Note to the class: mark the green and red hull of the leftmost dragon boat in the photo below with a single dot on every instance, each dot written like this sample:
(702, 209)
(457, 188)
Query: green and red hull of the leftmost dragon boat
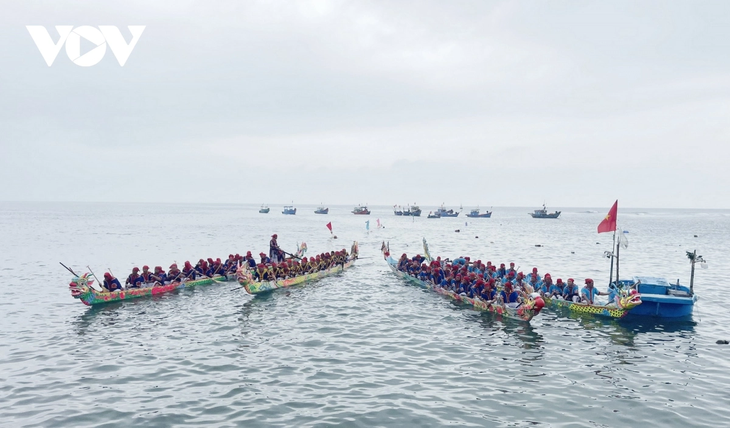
(81, 289)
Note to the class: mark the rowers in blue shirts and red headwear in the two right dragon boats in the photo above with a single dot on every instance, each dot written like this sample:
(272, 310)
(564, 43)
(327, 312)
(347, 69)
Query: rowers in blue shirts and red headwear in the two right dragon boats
(501, 284)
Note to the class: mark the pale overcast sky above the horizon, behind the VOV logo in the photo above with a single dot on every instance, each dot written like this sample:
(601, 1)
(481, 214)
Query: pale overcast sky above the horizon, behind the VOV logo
(519, 103)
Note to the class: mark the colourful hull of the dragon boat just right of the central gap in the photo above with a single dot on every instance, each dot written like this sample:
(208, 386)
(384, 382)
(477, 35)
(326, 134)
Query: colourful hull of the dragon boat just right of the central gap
(525, 311)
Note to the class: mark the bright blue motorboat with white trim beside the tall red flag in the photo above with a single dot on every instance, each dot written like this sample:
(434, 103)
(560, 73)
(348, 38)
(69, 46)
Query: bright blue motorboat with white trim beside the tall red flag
(660, 298)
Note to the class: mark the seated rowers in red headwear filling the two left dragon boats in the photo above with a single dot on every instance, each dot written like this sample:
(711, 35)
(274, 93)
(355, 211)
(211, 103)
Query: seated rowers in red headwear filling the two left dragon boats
(266, 269)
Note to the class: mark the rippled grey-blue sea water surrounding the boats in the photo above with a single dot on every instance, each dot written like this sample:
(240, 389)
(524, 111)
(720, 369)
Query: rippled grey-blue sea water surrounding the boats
(361, 348)
